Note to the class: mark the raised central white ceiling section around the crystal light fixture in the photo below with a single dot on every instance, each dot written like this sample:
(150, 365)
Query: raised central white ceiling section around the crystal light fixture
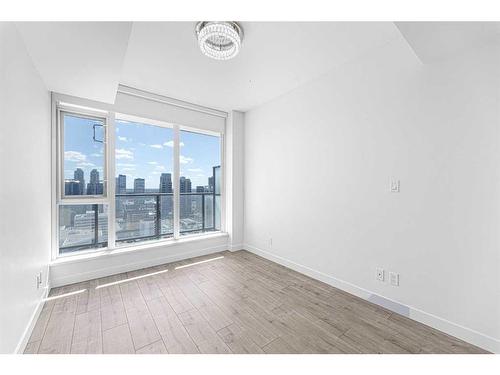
(276, 57)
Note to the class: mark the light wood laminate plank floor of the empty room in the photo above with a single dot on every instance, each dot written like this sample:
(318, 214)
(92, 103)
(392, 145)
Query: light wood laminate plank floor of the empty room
(240, 303)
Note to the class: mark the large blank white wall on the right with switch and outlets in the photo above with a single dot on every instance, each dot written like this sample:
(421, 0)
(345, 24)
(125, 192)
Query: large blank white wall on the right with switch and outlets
(317, 167)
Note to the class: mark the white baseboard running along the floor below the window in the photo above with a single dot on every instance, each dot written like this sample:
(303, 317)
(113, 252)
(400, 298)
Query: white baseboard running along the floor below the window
(108, 271)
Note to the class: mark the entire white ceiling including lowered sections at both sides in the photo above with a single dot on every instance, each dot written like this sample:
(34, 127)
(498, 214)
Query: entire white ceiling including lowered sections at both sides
(90, 59)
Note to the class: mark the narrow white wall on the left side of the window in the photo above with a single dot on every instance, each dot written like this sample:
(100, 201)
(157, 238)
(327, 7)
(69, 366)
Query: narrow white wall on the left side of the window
(24, 188)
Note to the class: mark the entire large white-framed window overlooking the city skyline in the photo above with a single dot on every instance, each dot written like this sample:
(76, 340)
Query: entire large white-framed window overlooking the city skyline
(166, 183)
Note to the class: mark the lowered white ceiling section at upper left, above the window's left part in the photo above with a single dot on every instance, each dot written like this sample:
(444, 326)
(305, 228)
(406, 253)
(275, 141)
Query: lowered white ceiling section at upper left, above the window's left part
(78, 58)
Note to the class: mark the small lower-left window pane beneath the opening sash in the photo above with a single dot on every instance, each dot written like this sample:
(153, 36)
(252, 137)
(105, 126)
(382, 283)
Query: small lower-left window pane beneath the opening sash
(77, 227)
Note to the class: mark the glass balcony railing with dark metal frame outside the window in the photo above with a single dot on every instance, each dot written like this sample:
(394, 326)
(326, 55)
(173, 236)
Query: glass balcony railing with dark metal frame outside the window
(138, 217)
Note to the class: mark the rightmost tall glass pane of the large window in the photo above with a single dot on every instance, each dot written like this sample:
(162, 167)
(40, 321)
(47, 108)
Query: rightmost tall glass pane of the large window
(199, 171)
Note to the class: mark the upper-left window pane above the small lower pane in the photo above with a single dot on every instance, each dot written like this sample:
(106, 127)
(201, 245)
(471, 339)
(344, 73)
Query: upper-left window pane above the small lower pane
(84, 155)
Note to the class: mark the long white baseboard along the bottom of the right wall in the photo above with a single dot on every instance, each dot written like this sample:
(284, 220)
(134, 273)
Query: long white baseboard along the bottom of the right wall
(476, 338)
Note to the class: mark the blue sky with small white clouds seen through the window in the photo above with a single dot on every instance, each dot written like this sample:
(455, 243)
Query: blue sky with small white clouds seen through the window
(142, 151)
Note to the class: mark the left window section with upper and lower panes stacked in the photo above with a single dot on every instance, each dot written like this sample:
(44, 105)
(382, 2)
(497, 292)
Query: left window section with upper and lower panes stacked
(82, 216)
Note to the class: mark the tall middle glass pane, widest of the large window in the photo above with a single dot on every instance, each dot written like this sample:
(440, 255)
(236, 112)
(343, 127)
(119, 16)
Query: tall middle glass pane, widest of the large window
(144, 191)
